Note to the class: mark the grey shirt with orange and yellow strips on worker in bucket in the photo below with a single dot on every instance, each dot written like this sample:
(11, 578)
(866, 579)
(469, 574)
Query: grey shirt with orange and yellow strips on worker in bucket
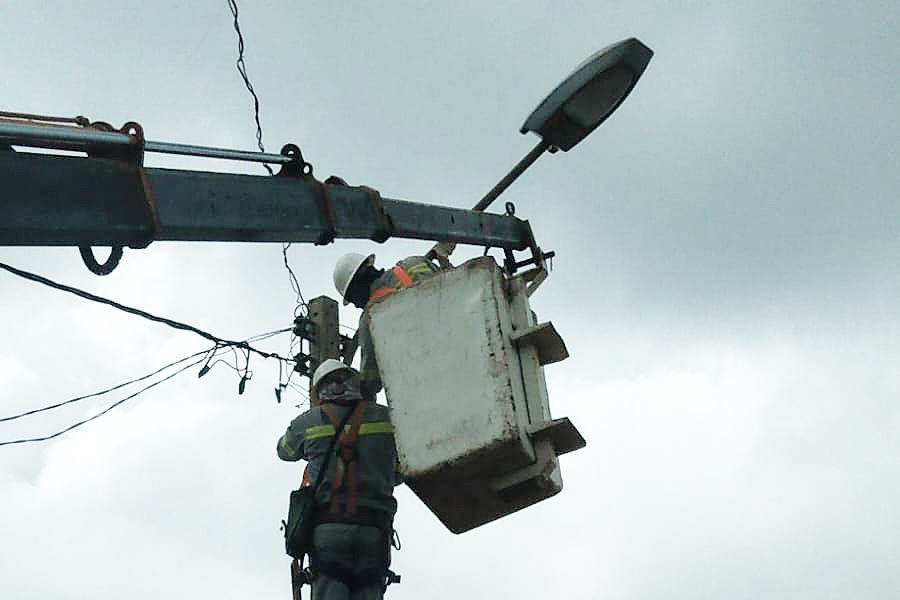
(416, 269)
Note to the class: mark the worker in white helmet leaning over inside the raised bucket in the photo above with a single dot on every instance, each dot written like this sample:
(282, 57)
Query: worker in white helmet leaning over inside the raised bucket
(359, 282)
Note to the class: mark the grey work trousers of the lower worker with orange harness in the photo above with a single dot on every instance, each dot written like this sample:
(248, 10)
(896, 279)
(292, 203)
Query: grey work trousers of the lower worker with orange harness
(344, 551)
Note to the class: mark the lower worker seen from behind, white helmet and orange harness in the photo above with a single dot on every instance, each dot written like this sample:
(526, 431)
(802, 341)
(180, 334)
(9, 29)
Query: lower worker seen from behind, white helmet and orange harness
(355, 506)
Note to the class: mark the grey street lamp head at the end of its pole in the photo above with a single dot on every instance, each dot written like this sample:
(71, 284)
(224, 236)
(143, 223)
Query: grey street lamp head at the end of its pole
(589, 95)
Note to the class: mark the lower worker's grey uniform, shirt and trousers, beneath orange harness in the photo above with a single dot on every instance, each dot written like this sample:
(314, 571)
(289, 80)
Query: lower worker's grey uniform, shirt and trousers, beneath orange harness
(351, 552)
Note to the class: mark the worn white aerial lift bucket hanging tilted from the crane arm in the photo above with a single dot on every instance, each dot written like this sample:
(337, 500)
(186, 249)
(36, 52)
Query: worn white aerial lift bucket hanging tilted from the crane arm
(461, 357)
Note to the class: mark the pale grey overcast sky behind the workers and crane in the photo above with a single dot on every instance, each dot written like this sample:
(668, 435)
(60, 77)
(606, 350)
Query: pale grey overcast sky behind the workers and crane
(726, 281)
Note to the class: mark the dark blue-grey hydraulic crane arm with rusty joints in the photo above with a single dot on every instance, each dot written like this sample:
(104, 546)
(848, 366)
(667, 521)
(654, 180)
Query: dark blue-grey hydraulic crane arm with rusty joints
(106, 197)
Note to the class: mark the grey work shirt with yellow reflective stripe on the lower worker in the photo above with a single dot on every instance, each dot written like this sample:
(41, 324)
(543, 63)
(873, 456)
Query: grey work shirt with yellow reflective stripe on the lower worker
(309, 436)
